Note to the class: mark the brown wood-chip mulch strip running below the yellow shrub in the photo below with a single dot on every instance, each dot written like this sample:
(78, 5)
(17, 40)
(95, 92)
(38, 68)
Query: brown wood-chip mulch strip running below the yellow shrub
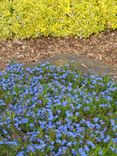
(97, 49)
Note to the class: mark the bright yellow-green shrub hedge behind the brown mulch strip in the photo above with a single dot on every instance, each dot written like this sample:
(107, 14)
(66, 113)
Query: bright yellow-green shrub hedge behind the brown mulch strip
(32, 18)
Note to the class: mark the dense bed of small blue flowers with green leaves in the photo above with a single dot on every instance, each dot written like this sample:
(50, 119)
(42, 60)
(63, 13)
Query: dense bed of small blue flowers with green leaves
(55, 111)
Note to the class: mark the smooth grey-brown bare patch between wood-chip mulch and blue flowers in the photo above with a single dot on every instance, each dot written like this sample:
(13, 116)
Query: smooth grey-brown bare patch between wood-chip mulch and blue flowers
(84, 64)
